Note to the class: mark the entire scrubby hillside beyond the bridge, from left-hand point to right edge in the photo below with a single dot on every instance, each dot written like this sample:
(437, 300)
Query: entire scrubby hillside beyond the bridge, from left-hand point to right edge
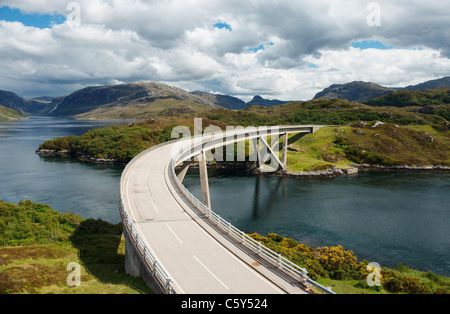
(404, 138)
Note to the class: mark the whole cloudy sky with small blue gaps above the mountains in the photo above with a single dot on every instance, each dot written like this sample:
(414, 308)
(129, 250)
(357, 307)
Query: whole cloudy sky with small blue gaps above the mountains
(287, 50)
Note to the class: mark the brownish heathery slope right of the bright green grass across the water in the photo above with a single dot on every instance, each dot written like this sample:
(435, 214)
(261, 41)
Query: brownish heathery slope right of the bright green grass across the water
(387, 144)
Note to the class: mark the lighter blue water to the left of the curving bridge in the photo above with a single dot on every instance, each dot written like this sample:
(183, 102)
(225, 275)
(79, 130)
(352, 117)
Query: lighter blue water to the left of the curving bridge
(64, 183)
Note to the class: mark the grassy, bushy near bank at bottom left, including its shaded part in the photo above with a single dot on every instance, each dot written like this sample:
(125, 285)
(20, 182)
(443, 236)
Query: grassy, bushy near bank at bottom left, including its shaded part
(37, 243)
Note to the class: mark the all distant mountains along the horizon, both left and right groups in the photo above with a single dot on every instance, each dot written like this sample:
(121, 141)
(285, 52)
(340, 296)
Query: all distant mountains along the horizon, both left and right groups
(146, 100)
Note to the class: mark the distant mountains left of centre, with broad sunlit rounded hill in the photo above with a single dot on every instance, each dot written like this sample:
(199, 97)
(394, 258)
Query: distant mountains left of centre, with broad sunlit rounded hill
(144, 100)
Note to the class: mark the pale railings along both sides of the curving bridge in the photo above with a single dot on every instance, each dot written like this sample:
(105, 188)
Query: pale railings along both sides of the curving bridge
(151, 261)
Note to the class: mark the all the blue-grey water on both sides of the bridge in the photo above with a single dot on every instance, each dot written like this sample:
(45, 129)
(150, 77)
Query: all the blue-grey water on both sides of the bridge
(384, 217)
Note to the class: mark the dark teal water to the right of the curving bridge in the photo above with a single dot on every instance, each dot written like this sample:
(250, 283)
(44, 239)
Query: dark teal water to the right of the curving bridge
(384, 217)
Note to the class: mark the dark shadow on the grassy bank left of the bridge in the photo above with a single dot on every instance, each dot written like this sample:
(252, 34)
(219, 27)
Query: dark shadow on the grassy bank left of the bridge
(101, 250)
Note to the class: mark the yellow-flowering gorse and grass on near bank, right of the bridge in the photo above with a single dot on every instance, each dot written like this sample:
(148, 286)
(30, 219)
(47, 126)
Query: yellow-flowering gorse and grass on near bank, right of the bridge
(340, 269)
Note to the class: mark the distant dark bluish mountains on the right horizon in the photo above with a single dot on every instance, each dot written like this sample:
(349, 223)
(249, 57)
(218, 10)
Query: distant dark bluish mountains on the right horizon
(363, 91)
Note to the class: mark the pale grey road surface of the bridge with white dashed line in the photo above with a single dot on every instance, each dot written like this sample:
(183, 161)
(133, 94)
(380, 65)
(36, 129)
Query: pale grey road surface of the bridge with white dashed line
(198, 258)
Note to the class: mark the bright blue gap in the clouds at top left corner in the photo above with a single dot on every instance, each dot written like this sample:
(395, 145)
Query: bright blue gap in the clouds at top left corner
(33, 20)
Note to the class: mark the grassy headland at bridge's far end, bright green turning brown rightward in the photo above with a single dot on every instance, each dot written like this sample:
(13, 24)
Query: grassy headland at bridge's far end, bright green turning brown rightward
(368, 143)
